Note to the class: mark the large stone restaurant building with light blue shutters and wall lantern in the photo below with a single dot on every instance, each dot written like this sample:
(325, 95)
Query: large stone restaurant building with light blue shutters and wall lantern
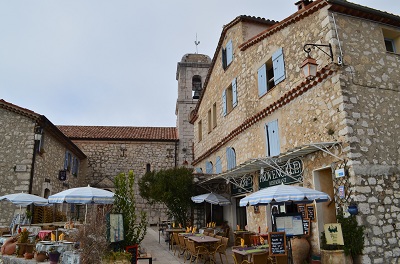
(274, 125)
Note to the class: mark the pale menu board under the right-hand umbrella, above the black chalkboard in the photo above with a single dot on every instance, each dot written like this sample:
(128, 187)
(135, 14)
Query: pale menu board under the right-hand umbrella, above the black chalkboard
(291, 224)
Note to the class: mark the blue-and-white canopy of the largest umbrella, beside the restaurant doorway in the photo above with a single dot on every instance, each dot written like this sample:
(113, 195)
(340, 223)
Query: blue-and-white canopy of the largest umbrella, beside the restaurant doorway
(284, 193)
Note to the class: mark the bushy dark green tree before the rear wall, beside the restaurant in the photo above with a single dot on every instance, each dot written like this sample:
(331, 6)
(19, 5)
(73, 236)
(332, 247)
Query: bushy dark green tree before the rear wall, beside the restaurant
(171, 187)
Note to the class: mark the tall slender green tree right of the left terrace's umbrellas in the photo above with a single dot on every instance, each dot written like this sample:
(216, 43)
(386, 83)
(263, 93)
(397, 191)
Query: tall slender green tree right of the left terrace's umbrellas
(135, 225)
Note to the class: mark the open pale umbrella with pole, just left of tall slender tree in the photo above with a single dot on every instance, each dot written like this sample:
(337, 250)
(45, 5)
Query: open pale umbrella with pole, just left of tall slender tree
(83, 195)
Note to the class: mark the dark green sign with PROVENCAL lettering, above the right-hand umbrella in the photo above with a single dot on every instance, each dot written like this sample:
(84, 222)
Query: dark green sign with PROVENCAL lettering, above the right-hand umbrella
(273, 177)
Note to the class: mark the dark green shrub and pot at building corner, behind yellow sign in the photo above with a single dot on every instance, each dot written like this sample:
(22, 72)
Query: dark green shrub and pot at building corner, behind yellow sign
(353, 237)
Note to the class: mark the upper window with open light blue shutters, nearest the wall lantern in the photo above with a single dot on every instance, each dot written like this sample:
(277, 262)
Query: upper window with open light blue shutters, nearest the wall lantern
(271, 73)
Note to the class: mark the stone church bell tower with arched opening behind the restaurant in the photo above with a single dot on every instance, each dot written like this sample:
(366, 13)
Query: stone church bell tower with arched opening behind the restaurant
(190, 74)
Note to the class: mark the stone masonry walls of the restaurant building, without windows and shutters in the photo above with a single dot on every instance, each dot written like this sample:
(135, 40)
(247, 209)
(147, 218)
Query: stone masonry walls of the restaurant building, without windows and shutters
(354, 103)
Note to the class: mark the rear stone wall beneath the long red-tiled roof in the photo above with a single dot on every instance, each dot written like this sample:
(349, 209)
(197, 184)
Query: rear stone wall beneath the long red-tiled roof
(106, 159)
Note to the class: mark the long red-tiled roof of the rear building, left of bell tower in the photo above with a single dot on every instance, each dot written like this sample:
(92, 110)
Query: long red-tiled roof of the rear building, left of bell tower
(120, 133)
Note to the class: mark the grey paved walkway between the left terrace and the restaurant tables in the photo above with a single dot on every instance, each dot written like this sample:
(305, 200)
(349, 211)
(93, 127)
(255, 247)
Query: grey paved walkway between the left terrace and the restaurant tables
(161, 253)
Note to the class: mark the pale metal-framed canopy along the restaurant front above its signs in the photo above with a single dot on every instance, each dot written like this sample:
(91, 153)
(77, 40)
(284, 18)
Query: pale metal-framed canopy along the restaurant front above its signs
(240, 173)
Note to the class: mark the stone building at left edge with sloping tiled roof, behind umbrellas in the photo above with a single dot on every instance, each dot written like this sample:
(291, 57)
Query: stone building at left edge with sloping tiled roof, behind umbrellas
(35, 157)
